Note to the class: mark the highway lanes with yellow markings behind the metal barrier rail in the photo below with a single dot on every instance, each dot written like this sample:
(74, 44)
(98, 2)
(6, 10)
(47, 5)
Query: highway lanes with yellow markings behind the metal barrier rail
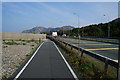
(105, 49)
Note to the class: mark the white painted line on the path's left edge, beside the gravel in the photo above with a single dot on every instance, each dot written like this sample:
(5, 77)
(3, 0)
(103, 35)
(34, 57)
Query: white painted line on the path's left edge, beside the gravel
(27, 63)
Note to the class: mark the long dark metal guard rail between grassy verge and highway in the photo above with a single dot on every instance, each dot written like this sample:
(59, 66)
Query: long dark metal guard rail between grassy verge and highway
(104, 59)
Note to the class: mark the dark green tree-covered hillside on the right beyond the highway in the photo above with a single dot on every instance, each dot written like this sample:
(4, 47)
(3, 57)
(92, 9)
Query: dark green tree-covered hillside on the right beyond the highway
(96, 30)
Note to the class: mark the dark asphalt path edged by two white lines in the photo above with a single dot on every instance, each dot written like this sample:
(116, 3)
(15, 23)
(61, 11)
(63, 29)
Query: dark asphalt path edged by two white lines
(46, 63)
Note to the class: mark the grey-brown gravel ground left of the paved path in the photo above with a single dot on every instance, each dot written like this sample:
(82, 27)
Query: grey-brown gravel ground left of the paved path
(13, 55)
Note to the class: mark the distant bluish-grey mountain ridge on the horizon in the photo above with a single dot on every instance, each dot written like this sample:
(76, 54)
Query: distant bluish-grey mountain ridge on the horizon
(43, 29)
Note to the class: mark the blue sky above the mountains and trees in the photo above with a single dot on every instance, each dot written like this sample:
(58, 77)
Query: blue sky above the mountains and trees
(19, 16)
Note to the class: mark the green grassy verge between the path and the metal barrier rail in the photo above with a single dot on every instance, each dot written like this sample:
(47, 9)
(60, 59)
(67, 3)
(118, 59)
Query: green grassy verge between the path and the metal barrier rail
(87, 67)
